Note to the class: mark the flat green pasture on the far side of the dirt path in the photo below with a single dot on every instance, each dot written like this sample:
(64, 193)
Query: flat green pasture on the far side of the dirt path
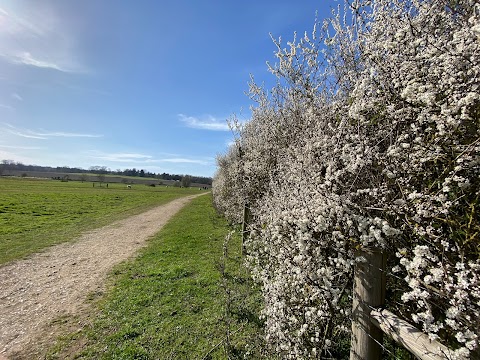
(35, 214)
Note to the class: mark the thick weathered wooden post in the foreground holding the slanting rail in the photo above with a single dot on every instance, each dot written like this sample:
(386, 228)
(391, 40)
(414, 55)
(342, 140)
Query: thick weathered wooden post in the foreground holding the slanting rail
(368, 292)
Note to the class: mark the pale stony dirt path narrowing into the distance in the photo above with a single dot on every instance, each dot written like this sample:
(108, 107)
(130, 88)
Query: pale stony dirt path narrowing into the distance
(53, 284)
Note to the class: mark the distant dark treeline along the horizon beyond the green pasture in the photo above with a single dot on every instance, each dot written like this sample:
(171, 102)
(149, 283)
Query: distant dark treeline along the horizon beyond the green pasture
(12, 165)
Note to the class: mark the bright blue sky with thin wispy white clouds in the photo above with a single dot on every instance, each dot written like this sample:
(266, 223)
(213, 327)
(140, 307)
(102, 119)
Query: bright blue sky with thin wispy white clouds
(146, 84)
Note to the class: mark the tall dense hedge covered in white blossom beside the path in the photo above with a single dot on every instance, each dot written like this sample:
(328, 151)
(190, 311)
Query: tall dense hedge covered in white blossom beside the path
(371, 139)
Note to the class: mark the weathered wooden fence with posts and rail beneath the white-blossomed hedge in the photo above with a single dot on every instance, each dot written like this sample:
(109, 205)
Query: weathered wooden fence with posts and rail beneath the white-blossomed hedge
(369, 321)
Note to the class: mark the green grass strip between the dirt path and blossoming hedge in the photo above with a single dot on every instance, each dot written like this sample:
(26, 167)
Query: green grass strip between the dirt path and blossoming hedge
(186, 296)
